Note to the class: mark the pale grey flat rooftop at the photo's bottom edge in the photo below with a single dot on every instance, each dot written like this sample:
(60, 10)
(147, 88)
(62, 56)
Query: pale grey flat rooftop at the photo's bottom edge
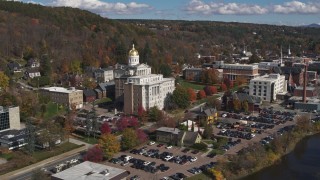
(91, 171)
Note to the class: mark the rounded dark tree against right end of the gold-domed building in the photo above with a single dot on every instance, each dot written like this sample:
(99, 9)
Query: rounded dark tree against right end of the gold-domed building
(180, 97)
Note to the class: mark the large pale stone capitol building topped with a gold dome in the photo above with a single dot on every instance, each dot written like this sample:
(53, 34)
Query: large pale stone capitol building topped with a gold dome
(135, 86)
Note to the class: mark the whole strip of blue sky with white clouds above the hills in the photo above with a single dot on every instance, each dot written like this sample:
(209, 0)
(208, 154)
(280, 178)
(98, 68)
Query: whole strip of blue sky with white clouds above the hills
(278, 12)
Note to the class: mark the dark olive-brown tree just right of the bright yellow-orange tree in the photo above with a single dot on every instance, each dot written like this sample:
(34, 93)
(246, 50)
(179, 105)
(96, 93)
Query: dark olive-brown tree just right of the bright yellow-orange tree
(129, 139)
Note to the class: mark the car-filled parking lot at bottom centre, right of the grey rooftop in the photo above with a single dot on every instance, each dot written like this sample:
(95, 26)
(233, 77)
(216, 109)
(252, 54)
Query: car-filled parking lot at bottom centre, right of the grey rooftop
(174, 167)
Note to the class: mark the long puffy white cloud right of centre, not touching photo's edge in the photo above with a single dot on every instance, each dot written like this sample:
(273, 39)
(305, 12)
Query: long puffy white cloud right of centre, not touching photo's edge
(200, 7)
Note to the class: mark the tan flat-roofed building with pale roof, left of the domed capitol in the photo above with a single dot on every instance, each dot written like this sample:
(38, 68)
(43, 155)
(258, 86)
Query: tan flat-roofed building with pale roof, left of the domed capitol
(64, 96)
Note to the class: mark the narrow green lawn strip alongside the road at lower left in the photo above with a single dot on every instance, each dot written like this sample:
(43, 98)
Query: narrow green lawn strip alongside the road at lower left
(45, 154)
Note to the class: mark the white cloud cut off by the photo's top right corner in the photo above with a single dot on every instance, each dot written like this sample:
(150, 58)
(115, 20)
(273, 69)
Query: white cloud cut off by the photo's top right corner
(297, 7)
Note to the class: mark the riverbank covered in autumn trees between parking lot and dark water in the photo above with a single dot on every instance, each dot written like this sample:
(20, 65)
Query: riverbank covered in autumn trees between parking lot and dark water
(257, 157)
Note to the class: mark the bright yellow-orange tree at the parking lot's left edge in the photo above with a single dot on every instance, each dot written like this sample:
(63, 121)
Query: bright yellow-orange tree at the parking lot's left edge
(109, 145)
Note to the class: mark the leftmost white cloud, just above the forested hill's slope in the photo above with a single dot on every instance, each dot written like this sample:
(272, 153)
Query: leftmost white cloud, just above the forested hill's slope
(103, 8)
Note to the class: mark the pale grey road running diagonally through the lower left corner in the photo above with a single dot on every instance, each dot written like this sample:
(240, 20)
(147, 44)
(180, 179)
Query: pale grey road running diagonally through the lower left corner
(40, 164)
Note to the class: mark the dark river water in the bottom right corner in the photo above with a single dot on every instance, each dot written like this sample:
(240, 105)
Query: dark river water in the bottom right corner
(303, 163)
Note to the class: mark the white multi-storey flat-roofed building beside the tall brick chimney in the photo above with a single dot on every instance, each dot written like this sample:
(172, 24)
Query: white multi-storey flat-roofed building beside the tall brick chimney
(268, 86)
